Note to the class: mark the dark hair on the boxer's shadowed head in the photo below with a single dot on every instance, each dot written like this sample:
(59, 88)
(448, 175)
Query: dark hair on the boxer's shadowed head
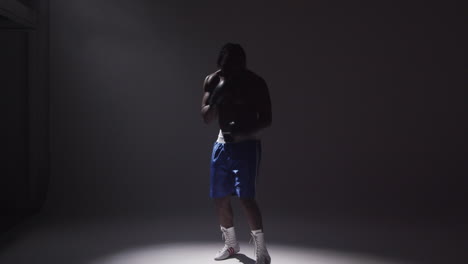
(232, 56)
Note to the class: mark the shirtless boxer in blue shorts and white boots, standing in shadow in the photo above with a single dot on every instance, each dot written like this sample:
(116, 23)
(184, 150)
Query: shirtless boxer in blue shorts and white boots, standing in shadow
(239, 100)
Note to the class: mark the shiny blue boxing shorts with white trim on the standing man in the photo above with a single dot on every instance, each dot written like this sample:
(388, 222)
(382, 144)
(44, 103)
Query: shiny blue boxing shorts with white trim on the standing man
(234, 168)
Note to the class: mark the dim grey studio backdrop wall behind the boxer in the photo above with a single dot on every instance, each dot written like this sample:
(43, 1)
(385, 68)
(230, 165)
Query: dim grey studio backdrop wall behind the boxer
(368, 105)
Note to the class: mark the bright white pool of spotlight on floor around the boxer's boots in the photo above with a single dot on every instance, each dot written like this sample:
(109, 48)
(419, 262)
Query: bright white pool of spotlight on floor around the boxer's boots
(203, 253)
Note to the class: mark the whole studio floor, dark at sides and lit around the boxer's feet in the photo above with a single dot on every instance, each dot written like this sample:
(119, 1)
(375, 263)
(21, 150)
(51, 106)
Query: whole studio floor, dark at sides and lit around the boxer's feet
(196, 238)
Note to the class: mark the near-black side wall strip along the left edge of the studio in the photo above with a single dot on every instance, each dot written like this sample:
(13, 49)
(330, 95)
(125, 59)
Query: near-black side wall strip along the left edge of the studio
(24, 104)
